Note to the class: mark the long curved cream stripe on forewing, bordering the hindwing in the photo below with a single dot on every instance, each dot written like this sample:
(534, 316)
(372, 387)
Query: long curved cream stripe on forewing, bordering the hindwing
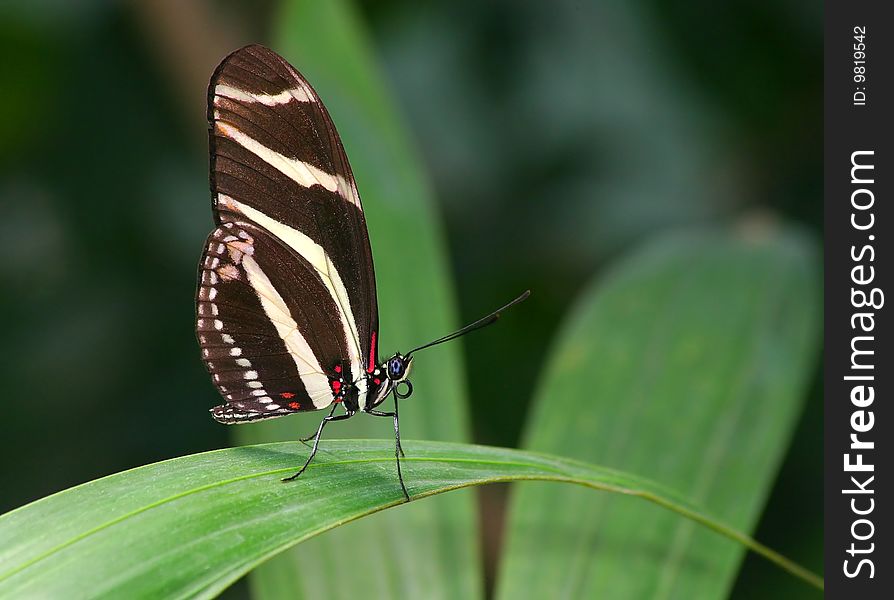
(317, 257)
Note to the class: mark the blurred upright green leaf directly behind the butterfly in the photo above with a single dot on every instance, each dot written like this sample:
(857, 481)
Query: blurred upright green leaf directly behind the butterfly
(429, 549)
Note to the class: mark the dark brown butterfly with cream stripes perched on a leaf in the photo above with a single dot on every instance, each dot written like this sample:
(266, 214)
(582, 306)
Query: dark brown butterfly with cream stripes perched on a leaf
(286, 308)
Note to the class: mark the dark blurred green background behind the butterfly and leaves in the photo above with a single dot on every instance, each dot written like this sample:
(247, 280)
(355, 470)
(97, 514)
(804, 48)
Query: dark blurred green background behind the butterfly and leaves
(558, 136)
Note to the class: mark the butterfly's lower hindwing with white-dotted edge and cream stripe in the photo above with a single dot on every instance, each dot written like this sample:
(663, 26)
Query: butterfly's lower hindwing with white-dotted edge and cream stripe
(252, 345)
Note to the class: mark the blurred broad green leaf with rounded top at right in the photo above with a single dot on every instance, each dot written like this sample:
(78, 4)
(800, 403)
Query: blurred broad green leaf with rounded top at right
(688, 364)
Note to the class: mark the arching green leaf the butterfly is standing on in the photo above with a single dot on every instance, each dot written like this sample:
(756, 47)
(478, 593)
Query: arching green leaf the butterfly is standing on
(190, 526)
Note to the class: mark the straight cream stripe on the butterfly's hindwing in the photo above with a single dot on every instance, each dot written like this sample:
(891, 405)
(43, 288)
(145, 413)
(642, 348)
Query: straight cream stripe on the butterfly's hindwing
(315, 382)
